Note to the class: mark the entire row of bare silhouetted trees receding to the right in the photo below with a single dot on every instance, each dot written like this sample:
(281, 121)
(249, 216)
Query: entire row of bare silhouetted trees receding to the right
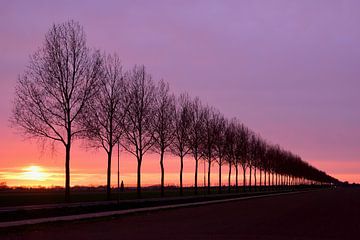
(70, 92)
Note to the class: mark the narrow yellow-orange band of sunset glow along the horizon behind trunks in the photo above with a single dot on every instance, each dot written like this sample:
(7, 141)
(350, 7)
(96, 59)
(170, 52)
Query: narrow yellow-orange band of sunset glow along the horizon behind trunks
(40, 176)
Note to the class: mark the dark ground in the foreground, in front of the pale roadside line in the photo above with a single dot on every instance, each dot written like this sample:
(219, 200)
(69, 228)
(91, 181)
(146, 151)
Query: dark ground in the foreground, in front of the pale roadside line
(324, 214)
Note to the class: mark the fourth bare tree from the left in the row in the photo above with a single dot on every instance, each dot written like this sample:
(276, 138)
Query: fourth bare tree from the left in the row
(163, 124)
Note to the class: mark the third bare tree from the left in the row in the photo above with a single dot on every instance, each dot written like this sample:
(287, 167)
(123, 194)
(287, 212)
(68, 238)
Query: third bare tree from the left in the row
(138, 131)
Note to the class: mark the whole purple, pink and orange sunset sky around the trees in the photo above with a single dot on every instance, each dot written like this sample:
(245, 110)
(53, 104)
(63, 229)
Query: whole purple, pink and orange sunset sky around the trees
(287, 69)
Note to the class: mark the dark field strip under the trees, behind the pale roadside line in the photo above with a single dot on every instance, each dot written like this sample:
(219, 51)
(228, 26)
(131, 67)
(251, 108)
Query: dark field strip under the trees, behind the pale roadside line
(20, 205)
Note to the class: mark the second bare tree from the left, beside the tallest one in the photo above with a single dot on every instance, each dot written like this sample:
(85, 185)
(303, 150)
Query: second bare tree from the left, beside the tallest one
(103, 118)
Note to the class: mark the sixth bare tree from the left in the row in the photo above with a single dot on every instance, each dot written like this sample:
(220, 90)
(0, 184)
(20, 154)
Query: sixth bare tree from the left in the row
(196, 134)
